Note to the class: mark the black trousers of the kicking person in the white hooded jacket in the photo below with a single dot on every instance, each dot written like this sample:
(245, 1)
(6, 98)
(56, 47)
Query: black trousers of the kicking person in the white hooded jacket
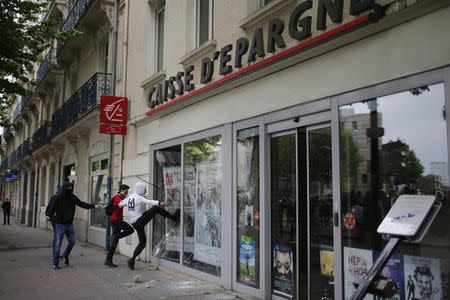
(143, 220)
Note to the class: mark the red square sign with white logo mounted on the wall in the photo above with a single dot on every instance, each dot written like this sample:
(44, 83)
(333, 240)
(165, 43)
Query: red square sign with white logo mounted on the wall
(113, 109)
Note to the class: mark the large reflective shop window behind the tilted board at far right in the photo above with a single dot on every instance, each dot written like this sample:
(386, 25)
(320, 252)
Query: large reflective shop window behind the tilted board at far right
(401, 160)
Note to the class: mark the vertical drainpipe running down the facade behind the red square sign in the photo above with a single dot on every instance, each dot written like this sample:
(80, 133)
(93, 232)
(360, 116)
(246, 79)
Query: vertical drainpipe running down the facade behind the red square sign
(111, 137)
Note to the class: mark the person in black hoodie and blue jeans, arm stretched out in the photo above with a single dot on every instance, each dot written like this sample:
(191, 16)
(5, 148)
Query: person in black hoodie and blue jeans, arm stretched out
(64, 211)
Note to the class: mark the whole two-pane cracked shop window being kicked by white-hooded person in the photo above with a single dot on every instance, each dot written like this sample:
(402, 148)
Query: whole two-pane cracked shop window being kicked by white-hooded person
(190, 177)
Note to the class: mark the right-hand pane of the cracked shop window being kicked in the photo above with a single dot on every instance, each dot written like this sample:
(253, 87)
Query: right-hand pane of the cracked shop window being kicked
(202, 204)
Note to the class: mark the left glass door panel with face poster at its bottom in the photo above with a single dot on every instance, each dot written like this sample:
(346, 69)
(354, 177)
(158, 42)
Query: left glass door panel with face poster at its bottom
(283, 152)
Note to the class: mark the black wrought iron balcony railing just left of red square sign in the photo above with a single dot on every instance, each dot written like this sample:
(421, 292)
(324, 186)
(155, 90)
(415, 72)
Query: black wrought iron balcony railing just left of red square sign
(81, 103)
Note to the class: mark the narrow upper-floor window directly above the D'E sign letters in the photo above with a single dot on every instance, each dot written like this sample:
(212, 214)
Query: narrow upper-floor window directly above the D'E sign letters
(204, 21)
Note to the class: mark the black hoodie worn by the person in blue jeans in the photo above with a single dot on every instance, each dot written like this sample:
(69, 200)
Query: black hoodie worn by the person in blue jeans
(63, 208)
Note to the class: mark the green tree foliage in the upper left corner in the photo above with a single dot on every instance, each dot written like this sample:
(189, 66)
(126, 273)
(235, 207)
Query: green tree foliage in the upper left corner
(25, 35)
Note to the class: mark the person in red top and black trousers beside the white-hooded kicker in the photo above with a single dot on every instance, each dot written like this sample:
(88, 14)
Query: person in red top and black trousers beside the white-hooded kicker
(120, 228)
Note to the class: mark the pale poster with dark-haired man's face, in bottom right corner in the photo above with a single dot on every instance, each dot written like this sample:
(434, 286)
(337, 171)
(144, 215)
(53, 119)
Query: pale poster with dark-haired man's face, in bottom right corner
(422, 278)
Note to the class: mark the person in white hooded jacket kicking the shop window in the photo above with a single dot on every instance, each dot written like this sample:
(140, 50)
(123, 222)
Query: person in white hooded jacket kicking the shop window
(140, 216)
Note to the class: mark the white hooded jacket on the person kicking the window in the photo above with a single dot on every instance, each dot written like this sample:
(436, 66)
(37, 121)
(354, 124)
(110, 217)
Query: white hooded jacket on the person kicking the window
(136, 202)
